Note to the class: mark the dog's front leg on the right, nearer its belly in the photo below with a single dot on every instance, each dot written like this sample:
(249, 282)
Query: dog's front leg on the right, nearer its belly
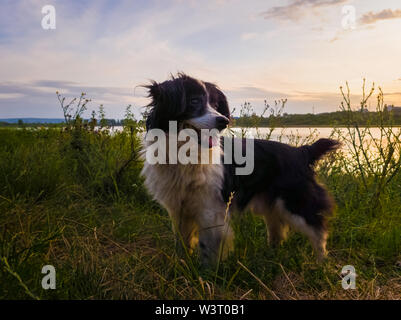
(215, 236)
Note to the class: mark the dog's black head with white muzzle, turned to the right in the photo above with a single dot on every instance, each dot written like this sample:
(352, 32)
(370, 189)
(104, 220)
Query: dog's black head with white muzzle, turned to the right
(192, 103)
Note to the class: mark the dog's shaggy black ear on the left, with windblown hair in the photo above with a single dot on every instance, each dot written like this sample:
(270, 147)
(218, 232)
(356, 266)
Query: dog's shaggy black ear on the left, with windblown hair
(167, 103)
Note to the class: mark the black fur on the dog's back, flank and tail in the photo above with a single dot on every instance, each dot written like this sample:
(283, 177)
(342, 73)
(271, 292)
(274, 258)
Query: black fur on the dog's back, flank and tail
(285, 172)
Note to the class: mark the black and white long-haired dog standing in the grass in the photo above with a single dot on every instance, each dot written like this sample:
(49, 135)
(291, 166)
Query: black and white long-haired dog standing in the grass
(282, 187)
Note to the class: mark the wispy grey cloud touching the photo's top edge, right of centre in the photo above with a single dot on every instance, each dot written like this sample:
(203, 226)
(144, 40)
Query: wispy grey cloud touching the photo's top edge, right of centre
(297, 9)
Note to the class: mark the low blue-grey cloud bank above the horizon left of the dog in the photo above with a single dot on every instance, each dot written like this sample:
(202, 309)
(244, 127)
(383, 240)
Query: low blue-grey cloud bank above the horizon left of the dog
(38, 98)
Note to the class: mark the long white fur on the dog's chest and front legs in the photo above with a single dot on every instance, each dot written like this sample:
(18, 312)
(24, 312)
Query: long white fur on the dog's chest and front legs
(192, 196)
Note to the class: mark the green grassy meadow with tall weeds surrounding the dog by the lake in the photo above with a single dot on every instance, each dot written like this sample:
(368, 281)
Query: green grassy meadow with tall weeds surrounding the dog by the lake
(73, 198)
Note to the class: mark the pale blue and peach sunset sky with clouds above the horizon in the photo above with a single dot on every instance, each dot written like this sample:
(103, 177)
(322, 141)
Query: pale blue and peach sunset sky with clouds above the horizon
(299, 50)
